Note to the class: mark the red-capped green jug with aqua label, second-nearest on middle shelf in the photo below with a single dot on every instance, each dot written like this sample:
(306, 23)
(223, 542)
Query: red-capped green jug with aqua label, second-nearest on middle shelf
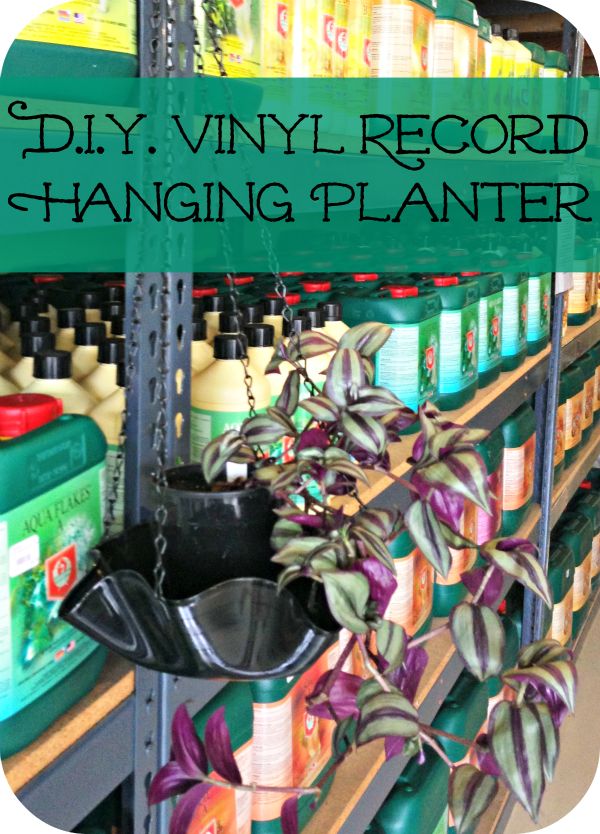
(458, 375)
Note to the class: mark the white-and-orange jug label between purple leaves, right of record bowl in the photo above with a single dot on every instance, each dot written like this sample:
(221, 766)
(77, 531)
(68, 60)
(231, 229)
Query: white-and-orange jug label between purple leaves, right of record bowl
(411, 602)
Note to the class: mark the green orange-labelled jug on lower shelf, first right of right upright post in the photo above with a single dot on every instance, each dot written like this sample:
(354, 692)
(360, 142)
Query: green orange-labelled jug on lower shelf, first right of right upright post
(558, 621)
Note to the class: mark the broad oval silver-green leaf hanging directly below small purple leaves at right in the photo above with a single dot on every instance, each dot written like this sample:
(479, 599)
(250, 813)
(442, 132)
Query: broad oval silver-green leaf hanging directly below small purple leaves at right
(479, 637)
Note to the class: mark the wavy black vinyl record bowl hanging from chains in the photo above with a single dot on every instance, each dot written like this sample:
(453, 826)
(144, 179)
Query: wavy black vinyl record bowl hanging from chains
(240, 629)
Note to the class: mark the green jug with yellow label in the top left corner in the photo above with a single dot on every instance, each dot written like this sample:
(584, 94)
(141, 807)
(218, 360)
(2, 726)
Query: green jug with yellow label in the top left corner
(86, 38)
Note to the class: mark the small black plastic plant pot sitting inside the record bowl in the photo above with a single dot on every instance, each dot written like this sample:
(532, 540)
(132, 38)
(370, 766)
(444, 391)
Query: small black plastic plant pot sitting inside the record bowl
(220, 535)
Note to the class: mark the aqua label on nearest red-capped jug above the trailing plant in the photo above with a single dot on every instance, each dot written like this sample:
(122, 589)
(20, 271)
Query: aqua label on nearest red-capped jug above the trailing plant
(408, 362)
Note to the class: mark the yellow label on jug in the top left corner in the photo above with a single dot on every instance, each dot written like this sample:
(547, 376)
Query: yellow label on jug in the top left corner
(86, 23)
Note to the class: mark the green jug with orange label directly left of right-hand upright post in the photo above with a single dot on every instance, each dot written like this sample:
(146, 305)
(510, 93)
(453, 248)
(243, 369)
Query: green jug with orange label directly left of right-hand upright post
(518, 431)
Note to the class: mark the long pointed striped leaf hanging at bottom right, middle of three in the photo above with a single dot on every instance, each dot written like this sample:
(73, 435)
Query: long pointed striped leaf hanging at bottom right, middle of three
(517, 744)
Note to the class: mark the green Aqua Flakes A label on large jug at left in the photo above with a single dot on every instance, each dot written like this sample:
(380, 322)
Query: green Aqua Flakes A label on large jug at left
(44, 551)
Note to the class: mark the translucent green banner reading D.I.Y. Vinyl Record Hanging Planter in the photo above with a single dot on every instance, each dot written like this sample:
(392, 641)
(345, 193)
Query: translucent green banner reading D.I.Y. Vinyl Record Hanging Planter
(318, 175)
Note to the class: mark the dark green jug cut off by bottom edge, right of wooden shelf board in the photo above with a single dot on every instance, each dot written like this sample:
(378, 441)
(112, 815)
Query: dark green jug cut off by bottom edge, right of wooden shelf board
(418, 802)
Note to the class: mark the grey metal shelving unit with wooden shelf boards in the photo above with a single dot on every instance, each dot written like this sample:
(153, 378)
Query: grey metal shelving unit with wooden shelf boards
(123, 738)
